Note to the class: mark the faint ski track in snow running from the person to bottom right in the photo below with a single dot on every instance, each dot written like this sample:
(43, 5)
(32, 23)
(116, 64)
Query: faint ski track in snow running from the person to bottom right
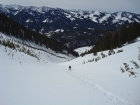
(110, 96)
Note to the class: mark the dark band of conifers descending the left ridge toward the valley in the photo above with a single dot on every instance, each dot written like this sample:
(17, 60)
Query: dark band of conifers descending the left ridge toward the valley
(12, 28)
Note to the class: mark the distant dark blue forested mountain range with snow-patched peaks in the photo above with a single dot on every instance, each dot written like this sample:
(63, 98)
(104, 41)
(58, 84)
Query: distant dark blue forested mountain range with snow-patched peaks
(75, 28)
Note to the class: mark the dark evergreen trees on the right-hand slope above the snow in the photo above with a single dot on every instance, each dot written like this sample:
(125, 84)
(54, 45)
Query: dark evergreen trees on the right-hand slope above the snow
(117, 38)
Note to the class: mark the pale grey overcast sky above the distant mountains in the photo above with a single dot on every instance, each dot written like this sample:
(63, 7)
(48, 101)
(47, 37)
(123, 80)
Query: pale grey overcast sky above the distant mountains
(100, 5)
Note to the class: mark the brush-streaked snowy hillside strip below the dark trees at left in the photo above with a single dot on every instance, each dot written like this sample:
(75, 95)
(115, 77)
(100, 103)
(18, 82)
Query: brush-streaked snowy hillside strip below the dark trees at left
(41, 53)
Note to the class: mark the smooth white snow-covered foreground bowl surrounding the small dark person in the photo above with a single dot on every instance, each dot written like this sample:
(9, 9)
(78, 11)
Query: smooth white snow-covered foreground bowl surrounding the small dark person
(24, 80)
